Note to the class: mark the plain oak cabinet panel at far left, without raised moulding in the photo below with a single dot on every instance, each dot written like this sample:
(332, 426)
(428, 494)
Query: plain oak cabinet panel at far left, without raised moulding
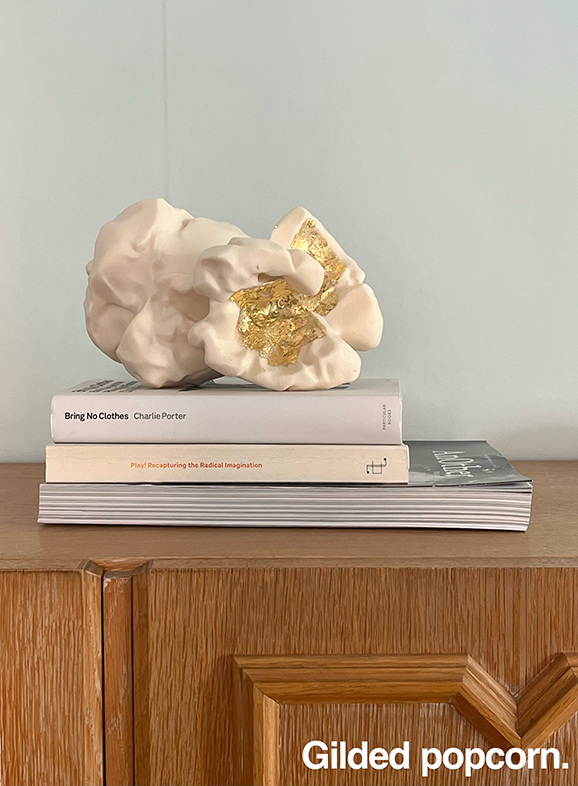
(50, 677)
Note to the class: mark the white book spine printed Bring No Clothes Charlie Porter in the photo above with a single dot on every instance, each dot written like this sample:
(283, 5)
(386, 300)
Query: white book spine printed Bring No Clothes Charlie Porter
(259, 418)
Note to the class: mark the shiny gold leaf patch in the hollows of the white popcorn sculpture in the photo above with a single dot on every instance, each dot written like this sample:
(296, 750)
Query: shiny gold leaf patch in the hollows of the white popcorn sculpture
(277, 321)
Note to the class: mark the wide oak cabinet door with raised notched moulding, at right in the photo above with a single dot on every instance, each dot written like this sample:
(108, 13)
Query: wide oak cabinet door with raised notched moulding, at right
(236, 669)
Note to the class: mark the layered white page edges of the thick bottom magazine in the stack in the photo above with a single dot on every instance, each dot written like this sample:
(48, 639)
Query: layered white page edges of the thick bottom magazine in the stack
(505, 506)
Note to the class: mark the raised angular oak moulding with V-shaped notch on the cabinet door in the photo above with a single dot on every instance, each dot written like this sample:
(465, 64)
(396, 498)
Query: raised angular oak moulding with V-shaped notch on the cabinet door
(262, 683)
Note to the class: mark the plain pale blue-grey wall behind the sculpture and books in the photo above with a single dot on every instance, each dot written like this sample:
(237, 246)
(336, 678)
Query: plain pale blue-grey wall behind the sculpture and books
(436, 140)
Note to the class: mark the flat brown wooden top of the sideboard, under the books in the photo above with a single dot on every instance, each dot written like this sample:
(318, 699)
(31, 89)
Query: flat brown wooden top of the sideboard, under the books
(552, 539)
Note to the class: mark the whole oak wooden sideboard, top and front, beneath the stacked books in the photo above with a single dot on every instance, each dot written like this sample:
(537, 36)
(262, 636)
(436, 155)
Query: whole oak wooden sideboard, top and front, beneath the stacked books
(153, 655)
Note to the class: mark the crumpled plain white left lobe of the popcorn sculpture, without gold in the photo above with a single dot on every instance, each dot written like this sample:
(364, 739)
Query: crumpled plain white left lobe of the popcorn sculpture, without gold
(140, 302)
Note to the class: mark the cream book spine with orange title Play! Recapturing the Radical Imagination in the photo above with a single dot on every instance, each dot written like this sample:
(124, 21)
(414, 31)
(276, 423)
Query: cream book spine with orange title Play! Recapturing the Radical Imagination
(227, 464)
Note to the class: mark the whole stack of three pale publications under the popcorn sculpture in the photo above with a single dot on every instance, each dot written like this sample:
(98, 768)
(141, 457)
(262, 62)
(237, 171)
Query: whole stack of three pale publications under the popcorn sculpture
(232, 454)
